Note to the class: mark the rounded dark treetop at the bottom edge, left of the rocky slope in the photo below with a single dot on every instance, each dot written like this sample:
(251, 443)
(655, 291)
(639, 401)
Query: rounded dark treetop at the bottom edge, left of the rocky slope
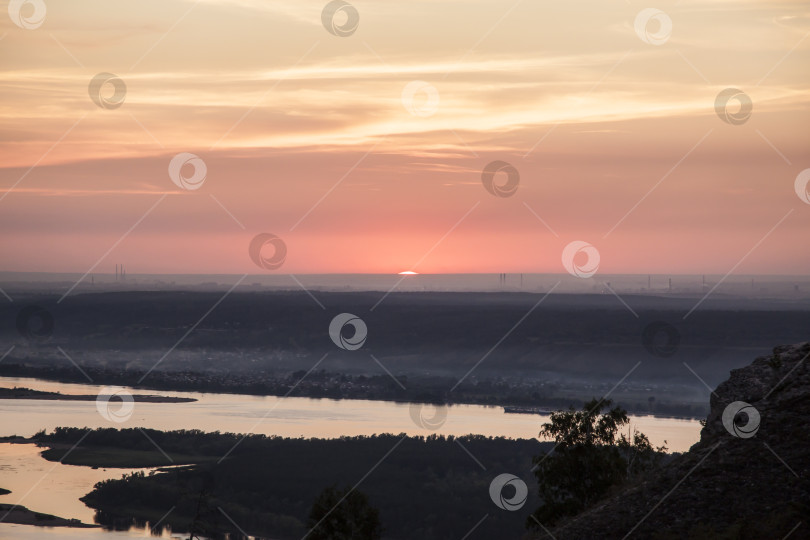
(342, 515)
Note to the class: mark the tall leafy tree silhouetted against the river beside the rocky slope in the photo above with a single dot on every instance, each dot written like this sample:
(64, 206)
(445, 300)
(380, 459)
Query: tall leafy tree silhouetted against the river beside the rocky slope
(589, 458)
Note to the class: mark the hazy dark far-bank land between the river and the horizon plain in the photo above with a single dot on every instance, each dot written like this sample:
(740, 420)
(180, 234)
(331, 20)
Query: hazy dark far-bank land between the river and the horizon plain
(566, 349)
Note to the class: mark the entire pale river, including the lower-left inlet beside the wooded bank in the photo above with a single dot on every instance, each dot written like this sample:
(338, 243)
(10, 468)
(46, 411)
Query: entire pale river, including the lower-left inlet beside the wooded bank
(55, 488)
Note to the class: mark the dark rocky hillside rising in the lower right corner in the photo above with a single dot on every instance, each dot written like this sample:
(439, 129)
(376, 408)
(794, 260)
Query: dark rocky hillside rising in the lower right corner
(748, 477)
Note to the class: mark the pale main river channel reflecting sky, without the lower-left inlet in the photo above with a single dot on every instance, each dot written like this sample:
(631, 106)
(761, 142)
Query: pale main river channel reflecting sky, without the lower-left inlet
(292, 417)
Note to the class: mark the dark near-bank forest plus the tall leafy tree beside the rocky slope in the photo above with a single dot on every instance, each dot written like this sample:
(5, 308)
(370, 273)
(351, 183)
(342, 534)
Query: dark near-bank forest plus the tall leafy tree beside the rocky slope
(361, 487)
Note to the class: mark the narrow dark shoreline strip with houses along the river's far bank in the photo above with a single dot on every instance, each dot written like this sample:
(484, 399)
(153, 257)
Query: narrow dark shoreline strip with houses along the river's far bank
(325, 385)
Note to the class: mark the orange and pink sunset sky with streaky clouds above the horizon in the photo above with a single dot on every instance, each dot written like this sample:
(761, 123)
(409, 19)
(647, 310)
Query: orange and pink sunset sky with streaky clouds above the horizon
(362, 146)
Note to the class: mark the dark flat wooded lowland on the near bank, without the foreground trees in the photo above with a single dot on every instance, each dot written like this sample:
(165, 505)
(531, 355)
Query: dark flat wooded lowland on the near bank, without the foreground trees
(431, 487)
